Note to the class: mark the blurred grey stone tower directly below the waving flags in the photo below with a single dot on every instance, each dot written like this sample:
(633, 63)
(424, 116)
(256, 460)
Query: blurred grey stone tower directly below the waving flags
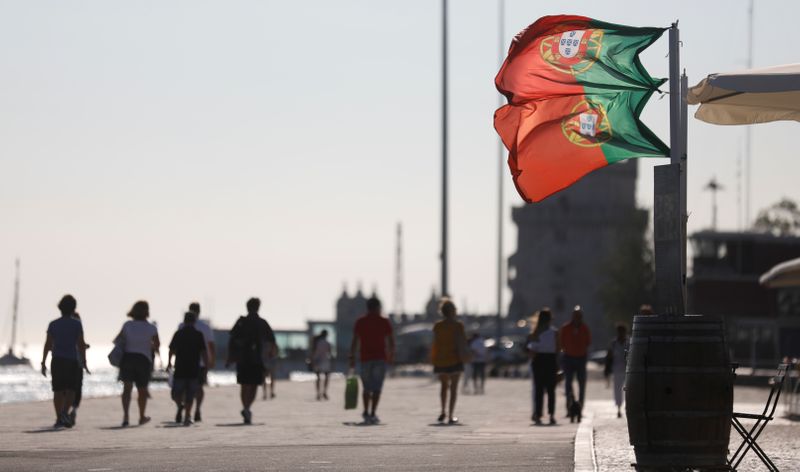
(563, 242)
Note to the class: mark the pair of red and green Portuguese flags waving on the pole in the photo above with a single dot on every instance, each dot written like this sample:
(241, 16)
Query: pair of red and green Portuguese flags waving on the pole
(575, 90)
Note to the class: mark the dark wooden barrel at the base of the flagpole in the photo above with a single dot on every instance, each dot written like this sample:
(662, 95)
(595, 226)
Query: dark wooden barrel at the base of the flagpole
(679, 392)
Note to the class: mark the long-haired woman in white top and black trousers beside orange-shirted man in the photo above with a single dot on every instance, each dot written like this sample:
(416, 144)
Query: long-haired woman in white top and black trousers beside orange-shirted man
(543, 347)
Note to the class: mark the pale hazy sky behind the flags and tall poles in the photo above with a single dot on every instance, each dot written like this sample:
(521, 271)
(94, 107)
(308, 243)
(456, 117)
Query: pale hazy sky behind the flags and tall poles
(197, 150)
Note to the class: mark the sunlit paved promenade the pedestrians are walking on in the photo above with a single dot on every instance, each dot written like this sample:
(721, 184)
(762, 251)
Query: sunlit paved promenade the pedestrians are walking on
(295, 432)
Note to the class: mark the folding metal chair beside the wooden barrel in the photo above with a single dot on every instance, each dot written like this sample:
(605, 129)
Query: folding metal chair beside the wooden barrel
(750, 436)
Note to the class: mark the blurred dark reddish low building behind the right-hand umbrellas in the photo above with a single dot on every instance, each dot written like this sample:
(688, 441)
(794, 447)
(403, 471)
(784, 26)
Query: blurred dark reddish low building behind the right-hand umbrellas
(763, 325)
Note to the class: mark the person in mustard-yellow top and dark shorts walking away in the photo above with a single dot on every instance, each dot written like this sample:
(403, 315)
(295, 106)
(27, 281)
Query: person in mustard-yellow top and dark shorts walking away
(448, 355)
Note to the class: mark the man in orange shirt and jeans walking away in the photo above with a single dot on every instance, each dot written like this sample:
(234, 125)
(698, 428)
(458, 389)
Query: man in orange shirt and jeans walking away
(575, 341)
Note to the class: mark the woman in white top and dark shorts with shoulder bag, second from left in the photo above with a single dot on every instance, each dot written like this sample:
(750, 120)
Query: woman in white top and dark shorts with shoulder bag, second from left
(139, 339)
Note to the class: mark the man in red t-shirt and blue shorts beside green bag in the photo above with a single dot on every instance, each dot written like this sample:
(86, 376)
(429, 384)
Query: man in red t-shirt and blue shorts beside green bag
(372, 332)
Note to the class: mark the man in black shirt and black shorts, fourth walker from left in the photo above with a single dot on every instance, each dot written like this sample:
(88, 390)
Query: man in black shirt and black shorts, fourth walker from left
(247, 340)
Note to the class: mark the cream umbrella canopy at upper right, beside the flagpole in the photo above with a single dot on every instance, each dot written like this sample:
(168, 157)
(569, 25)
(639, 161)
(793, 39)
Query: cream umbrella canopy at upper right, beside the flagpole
(748, 97)
